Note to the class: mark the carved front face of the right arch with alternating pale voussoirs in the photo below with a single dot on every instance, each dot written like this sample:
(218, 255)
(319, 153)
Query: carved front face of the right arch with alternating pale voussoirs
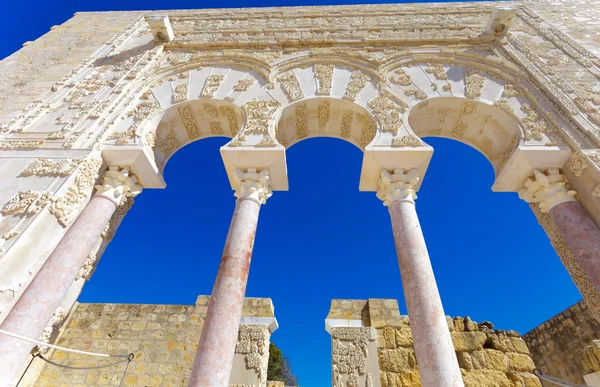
(515, 91)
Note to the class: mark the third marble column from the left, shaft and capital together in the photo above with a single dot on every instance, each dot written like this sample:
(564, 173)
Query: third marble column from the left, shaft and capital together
(436, 359)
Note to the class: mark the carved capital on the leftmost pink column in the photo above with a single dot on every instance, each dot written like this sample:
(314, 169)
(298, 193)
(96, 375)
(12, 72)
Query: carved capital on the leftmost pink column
(118, 184)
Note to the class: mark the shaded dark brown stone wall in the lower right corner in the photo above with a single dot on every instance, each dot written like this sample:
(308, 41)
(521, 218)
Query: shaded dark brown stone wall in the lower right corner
(564, 346)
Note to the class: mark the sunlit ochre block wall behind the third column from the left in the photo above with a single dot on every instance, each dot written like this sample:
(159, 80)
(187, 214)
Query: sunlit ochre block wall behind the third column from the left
(487, 357)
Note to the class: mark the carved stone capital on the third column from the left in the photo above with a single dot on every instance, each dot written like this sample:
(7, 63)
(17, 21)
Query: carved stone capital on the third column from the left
(397, 185)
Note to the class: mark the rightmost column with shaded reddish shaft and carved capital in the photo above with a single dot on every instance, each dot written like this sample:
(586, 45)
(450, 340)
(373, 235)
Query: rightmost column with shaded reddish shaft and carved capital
(550, 191)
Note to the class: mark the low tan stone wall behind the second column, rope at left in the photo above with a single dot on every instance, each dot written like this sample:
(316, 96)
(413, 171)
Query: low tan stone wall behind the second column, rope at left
(163, 339)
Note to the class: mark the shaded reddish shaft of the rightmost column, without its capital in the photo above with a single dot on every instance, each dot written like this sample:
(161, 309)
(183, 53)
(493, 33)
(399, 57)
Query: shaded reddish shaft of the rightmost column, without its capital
(582, 236)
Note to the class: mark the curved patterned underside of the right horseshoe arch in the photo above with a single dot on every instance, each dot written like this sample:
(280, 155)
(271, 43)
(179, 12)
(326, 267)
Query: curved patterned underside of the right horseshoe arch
(490, 130)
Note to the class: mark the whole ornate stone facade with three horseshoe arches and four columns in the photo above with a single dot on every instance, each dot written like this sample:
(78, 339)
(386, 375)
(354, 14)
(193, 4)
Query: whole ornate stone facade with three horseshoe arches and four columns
(501, 79)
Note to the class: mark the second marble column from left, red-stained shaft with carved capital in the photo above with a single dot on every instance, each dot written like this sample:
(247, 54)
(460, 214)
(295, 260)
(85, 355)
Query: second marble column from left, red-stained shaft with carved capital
(216, 348)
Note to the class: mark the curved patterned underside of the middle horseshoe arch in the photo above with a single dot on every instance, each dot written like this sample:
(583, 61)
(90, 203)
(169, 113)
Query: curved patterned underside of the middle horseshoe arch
(326, 117)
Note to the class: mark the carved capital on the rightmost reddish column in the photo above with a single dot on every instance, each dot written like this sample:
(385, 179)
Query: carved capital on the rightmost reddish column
(547, 189)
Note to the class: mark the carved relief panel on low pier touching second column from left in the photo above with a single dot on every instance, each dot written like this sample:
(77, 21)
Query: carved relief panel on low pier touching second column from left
(253, 343)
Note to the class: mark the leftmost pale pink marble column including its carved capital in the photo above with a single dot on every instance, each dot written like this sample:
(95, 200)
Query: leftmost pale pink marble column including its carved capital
(35, 307)
